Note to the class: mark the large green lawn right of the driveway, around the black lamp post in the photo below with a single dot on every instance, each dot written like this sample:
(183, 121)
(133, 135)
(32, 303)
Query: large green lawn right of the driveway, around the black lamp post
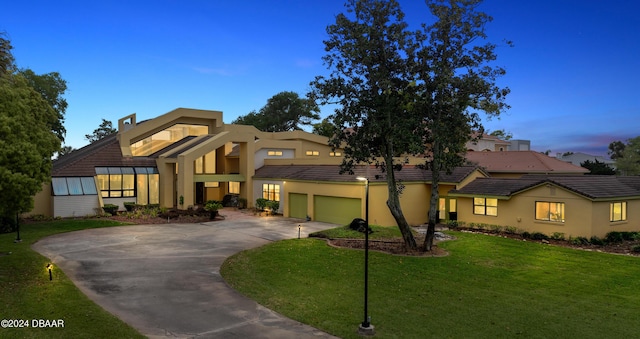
(487, 287)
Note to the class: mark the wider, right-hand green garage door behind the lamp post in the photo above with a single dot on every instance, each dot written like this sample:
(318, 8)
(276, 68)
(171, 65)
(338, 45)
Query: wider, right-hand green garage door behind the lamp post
(336, 210)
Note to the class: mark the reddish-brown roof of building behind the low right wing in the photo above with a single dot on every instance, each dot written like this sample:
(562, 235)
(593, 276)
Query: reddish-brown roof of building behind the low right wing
(522, 162)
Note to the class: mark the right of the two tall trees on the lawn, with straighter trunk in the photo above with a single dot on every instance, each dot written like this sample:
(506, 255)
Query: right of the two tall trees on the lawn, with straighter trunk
(456, 82)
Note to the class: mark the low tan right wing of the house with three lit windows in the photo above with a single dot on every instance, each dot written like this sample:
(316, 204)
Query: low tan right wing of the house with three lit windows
(569, 205)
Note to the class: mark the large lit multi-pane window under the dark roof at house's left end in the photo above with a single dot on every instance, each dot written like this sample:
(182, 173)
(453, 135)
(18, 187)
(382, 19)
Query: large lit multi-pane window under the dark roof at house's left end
(118, 182)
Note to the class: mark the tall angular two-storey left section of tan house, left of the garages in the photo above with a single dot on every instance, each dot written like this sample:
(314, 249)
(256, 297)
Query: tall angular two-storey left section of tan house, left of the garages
(179, 159)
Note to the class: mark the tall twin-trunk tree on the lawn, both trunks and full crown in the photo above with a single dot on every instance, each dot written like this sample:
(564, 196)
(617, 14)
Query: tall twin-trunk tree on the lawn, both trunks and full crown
(409, 93)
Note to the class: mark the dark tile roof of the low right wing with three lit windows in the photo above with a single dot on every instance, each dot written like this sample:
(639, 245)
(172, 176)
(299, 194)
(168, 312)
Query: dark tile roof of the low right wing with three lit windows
(589, 186)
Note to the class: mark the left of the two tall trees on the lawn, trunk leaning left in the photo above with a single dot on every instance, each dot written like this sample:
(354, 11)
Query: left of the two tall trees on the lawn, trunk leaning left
(369, 53)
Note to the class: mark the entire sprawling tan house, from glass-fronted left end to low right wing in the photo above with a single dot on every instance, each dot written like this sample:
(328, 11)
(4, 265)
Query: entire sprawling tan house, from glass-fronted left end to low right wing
(185, 157)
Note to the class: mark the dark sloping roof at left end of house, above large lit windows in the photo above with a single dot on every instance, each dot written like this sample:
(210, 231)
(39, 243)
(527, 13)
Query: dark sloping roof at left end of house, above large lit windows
(102, 153)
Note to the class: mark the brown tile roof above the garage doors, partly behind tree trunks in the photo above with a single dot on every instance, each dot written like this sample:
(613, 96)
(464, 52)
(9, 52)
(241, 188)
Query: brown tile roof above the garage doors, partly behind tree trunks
(331, 173)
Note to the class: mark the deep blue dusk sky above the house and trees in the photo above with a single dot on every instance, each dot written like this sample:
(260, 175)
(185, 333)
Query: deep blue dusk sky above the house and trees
(574, 71)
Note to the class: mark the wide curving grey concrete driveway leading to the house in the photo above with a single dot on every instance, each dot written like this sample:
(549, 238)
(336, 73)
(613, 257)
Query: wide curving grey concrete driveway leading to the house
(164, 279)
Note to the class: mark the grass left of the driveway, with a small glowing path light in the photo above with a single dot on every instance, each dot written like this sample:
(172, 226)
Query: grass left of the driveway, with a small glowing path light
(27, 293)
